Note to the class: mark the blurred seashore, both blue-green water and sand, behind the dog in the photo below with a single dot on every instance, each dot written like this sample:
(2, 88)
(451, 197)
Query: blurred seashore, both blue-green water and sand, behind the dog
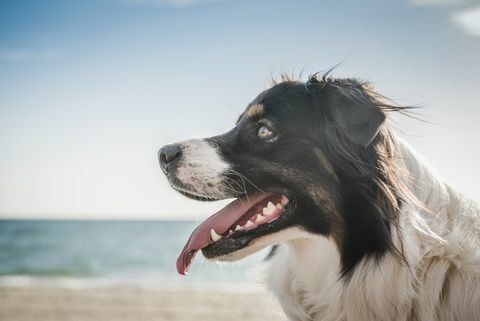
(120, 271)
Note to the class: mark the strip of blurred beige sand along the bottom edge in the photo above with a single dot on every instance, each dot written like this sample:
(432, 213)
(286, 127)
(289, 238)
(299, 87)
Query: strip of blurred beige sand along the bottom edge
(131, 303)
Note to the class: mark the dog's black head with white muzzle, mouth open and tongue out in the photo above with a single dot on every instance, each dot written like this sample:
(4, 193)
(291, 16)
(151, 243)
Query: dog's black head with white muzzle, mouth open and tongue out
(303, 158)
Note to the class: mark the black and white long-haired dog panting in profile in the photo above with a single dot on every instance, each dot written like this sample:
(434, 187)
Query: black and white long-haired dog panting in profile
(360, 227)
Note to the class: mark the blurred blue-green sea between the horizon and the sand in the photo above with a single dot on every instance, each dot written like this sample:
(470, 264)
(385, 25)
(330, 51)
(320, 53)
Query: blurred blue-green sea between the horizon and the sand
(95, 253)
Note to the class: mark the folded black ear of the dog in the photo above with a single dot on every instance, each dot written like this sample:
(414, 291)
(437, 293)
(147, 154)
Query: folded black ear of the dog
(356, 113)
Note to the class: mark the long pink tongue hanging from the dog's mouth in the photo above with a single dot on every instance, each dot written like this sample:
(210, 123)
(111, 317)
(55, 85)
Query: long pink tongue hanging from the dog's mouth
(220, 222)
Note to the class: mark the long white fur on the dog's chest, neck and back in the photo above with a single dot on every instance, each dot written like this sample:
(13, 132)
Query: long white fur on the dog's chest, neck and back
(440, 283)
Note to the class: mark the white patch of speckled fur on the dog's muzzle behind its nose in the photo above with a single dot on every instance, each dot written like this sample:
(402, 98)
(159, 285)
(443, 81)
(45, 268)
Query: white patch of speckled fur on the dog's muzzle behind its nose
(201, 168)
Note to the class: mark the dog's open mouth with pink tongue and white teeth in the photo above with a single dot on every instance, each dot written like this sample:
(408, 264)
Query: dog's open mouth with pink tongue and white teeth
(234, 226)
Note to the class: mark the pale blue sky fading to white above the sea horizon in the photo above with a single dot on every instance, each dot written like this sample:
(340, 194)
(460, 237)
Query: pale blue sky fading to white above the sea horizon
(90, 90)
